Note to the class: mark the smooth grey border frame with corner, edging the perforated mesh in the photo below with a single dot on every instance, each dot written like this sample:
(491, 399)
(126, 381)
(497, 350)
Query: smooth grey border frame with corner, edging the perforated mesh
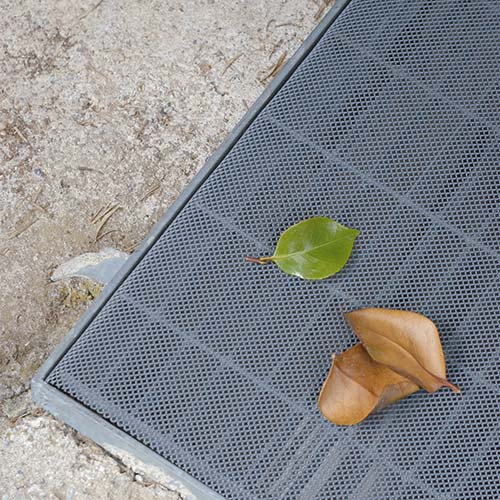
(79, 416)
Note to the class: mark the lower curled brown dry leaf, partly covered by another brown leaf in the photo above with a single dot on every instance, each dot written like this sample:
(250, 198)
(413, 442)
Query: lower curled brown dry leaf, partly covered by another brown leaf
(357, 385)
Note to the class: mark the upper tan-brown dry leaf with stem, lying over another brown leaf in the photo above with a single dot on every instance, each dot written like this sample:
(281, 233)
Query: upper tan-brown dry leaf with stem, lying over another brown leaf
(404, 341)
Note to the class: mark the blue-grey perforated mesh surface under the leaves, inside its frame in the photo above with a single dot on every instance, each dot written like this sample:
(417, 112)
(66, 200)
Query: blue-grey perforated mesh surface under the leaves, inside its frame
(390, 125)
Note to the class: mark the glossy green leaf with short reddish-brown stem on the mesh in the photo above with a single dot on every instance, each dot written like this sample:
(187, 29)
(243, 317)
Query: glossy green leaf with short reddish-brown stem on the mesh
(313, 249)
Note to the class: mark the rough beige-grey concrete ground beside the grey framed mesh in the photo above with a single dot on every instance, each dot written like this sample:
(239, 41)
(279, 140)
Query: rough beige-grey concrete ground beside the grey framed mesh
(105, 102)
